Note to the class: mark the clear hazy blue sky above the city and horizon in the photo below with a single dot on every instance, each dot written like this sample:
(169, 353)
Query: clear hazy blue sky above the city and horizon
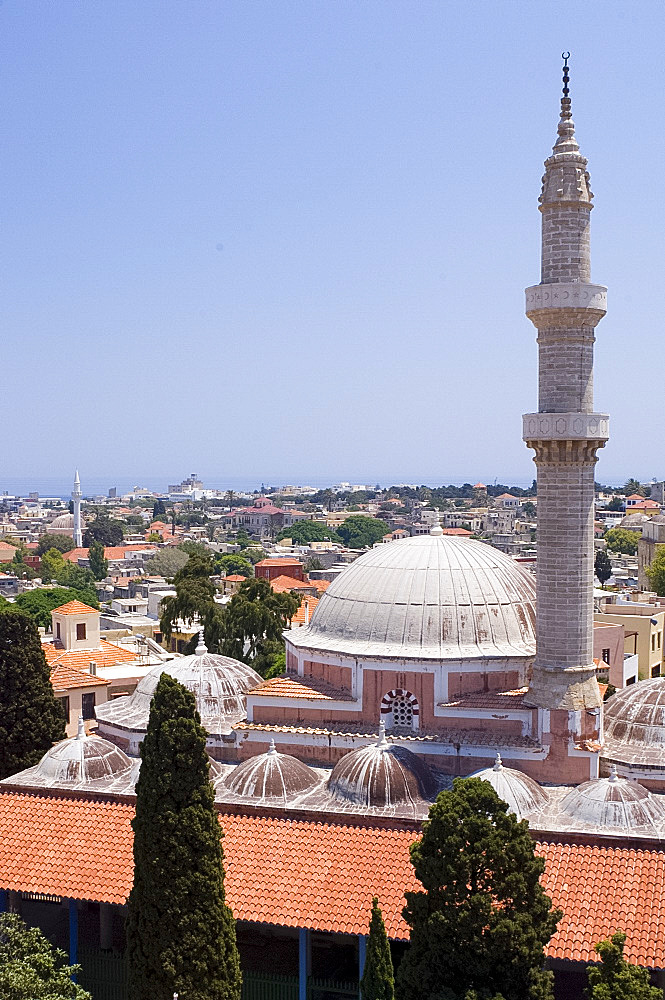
(289, 240)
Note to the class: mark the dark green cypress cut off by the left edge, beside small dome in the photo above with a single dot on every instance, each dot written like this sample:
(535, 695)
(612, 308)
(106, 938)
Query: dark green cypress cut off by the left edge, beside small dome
(31, 720)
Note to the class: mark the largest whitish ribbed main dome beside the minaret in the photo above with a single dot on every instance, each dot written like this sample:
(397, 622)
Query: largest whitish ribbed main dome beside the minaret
(431, 596)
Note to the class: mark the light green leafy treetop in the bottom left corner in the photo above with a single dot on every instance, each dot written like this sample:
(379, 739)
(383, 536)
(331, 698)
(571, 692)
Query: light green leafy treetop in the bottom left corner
(31, 968)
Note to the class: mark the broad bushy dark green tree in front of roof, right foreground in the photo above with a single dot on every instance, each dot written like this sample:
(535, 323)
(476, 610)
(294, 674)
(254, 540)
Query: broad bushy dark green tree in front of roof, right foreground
(482, 920)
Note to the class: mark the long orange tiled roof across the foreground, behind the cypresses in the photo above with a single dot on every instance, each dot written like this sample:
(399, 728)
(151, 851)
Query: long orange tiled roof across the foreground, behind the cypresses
(322, 875)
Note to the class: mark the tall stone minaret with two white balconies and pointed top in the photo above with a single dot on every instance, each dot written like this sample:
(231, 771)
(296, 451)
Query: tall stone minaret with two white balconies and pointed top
(565, 433)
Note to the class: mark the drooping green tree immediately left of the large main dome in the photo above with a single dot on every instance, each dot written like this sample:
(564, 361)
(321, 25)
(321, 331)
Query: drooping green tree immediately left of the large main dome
(253, 623)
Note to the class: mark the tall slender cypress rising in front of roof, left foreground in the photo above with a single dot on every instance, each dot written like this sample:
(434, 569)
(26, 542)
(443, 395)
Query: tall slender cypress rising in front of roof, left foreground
(180, 932)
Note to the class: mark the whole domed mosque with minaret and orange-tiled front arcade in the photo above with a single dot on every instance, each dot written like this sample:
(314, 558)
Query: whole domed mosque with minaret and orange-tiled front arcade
(426, 659)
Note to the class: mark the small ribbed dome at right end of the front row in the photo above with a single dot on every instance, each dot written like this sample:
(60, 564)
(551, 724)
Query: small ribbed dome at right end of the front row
(613, 804)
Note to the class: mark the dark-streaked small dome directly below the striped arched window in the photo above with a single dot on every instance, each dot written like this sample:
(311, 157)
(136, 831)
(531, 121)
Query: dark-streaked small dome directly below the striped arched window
(381, 775)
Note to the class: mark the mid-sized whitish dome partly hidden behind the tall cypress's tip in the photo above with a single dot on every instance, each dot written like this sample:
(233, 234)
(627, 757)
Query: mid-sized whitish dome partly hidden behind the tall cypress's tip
(218, 683)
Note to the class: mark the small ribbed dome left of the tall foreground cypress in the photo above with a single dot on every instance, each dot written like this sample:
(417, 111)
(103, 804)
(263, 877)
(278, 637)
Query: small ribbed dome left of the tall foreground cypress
(82, 759)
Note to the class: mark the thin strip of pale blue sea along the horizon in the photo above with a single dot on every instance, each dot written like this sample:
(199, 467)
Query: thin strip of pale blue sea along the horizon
(47, 486)
